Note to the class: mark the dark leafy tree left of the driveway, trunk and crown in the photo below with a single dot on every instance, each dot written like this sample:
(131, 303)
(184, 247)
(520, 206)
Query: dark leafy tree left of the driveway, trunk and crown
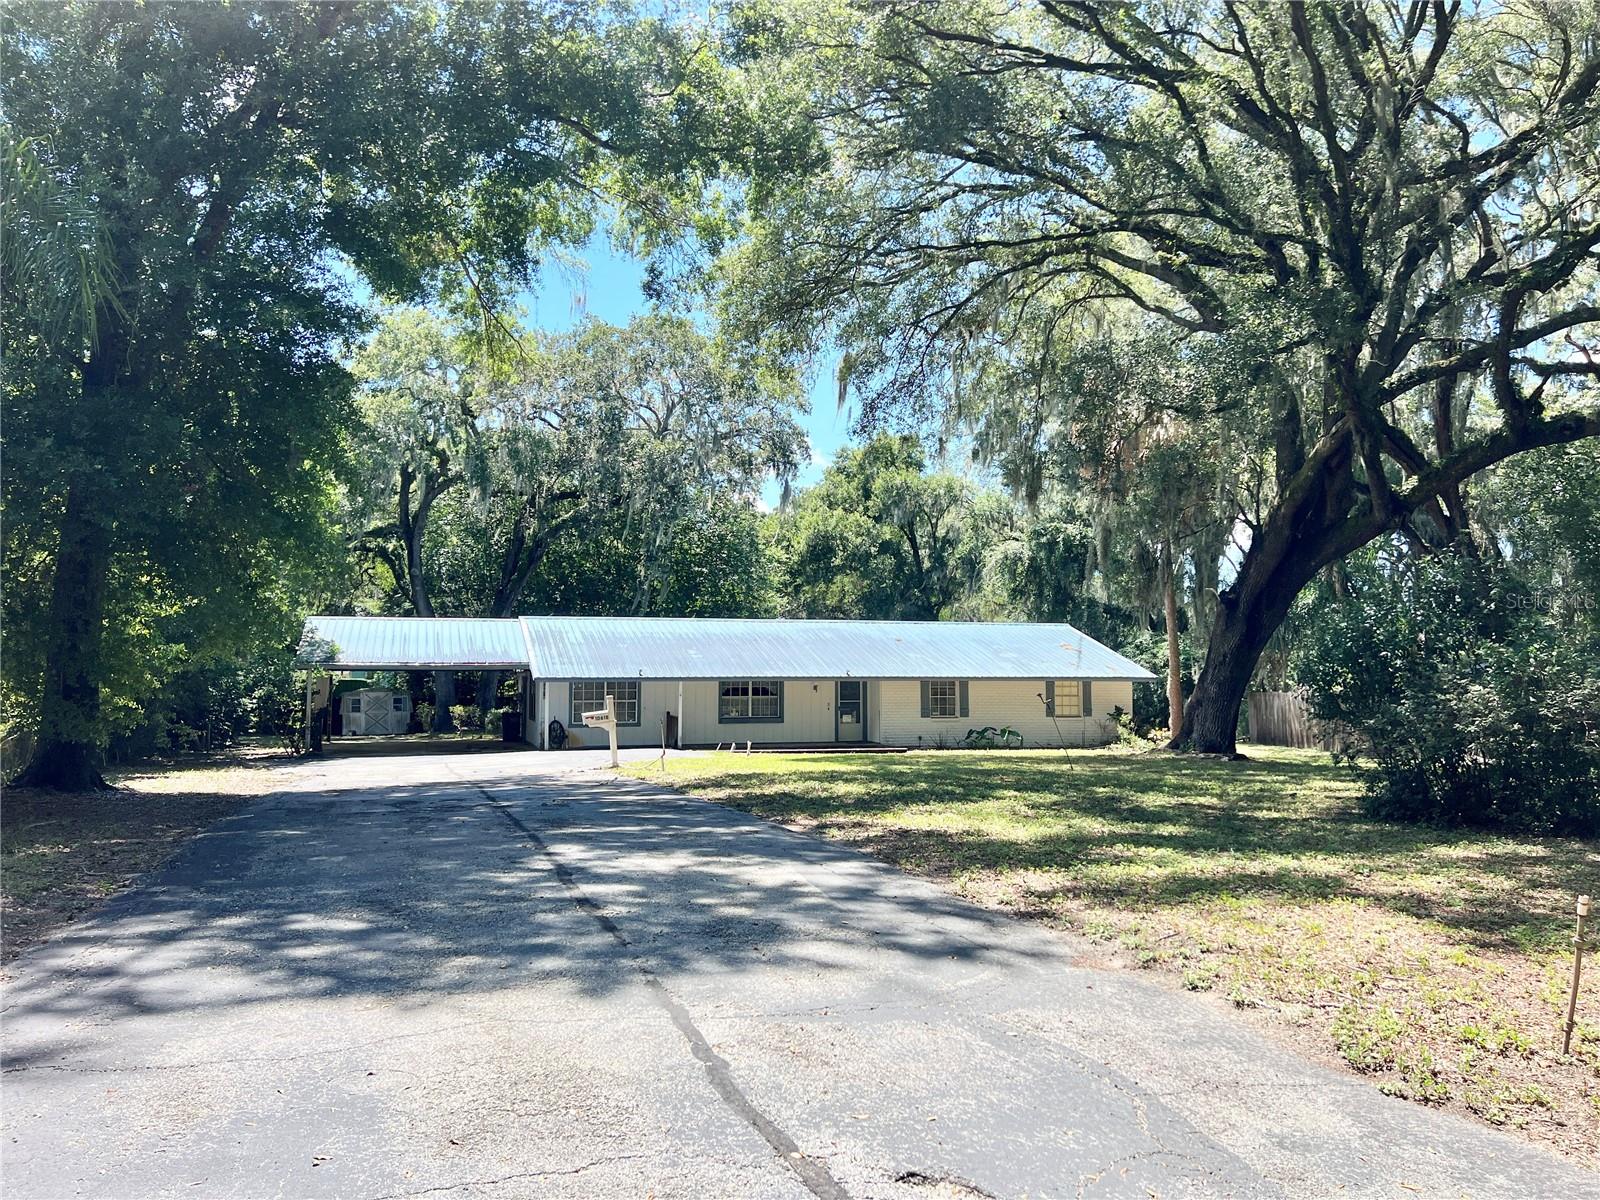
(244, 164)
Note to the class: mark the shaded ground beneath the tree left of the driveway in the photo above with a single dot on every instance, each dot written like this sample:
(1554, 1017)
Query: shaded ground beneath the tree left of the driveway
(63, 854)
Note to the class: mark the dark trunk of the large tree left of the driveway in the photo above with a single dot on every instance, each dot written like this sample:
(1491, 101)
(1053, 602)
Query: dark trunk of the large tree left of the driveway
(70, 753)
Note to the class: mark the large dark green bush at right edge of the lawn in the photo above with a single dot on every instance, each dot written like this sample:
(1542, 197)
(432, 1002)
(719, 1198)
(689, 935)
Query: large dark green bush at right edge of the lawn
(1462, 703)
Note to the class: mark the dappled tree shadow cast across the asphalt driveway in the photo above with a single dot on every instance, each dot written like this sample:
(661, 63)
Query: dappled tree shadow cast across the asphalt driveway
(426, 890)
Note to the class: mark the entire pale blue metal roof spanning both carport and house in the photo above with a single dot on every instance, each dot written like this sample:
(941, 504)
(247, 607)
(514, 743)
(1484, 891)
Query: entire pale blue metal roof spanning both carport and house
(671, 649)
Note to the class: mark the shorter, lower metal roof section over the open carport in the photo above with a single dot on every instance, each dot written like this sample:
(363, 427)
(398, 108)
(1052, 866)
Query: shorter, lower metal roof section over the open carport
(414, 642)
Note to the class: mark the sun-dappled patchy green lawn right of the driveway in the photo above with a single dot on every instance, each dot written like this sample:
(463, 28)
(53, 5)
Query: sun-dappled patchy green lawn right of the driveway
(1433, 961)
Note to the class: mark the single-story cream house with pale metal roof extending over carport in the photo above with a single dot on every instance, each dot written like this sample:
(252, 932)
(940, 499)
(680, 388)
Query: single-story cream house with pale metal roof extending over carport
(708, 681)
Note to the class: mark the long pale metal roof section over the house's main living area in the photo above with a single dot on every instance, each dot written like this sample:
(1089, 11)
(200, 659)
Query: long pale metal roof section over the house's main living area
(622, 647)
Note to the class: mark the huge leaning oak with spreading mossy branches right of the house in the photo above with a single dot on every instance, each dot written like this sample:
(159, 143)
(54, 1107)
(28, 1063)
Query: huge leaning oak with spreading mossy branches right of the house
(1375, 223)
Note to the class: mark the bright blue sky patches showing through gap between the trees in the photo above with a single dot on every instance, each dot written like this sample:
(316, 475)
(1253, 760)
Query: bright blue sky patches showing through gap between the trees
(610, 286)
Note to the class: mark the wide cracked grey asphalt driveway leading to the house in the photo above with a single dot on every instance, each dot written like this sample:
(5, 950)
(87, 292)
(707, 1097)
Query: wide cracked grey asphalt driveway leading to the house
(503, 977)
